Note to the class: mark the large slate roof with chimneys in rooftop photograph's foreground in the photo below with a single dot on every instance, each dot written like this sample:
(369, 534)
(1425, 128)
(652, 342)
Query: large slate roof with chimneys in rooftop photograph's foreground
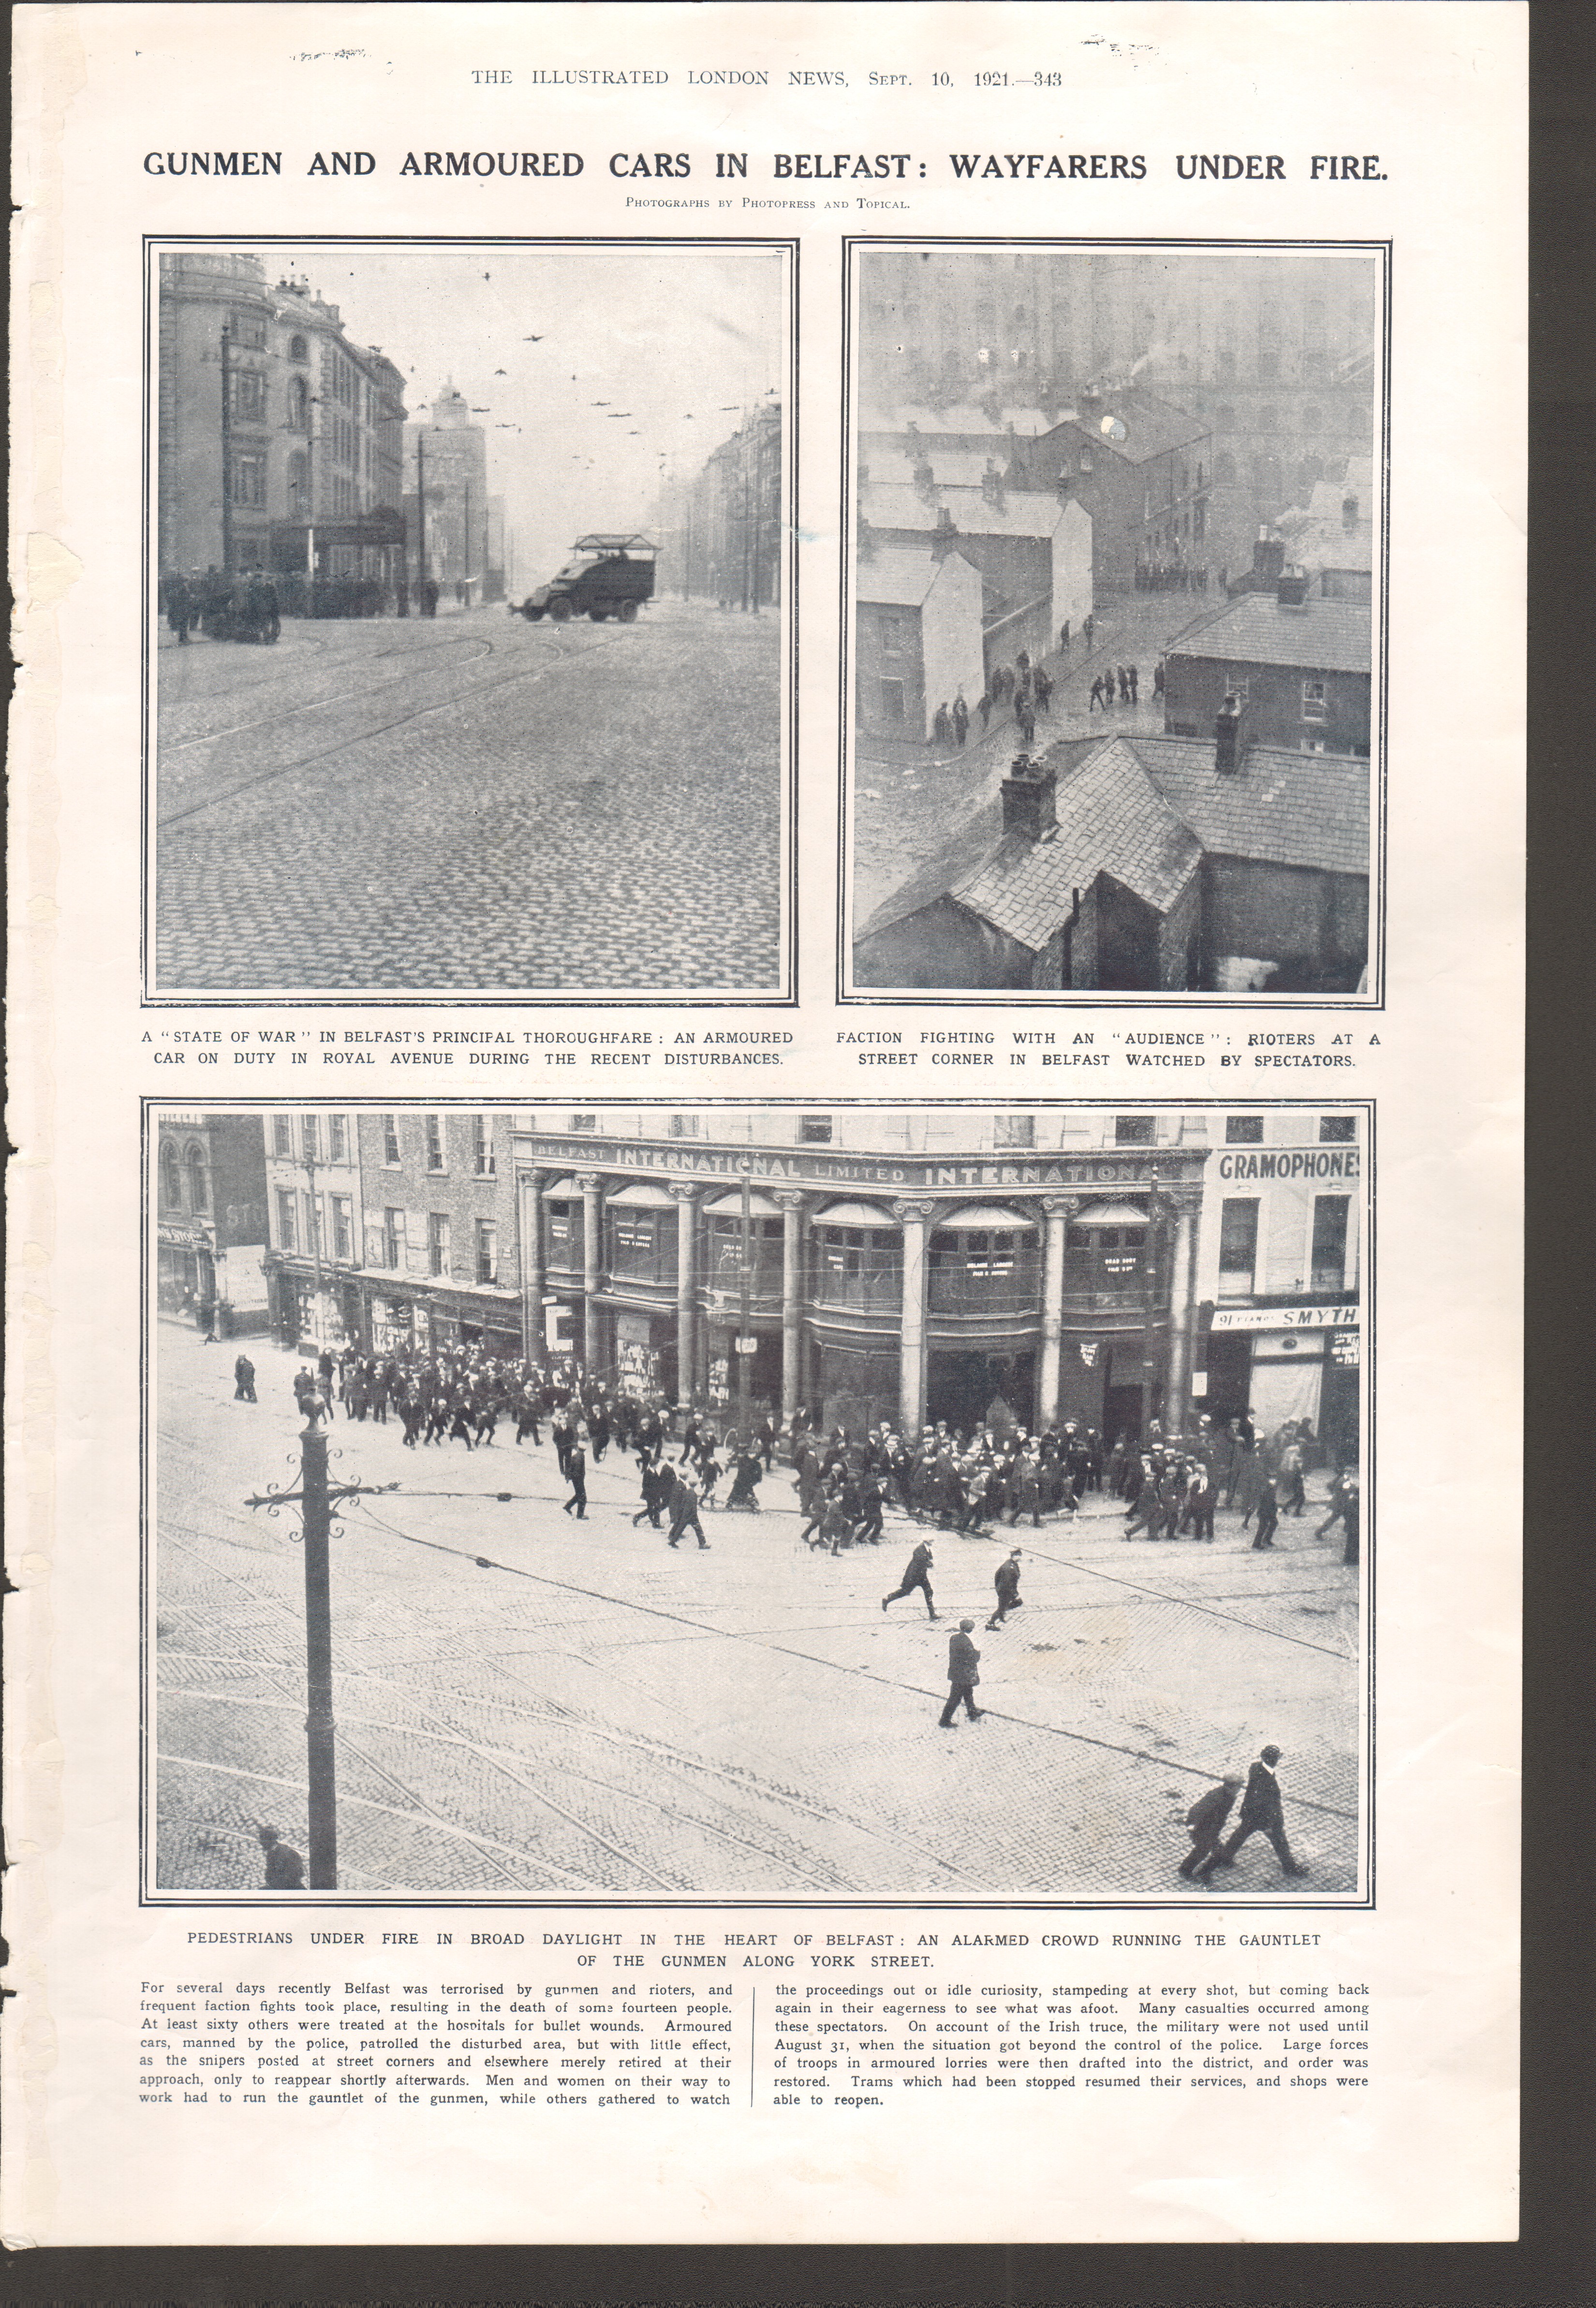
(1145, 811)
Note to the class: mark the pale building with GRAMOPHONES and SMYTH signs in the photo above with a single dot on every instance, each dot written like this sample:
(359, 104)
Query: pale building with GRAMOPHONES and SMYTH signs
(1279, 1275)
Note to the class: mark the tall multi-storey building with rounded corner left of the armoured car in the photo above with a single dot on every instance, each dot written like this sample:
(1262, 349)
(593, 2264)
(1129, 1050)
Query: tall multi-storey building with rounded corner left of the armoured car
(278, 435)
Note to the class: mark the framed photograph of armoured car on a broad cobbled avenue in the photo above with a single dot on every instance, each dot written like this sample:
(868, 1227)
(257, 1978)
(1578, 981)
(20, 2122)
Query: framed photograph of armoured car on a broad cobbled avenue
(469, 620)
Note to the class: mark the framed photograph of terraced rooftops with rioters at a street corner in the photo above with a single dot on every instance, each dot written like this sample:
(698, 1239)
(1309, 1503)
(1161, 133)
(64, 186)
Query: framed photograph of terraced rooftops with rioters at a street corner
(1115, 567)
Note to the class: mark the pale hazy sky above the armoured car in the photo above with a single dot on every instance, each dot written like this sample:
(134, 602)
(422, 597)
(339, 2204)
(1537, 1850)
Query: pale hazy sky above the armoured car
(645, 364)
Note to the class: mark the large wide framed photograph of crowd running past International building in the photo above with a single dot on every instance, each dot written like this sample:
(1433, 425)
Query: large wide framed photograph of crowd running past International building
(1027, 1448)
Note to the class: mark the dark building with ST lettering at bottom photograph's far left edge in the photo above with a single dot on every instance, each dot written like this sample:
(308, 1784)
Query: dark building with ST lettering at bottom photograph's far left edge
(211, 1220)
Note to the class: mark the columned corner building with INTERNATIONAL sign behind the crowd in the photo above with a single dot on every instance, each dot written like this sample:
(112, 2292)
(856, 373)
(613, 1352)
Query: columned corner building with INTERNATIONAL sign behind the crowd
(905, 1266)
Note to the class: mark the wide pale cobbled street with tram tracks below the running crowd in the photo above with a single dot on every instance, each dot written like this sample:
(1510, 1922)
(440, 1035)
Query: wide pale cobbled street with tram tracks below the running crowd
(534, 1707)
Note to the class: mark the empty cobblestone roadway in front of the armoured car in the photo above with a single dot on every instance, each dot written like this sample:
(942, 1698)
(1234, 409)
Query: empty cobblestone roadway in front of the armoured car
(474, 804)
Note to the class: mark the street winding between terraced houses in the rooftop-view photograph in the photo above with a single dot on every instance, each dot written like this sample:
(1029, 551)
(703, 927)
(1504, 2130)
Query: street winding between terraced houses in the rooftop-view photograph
(908, 800)
